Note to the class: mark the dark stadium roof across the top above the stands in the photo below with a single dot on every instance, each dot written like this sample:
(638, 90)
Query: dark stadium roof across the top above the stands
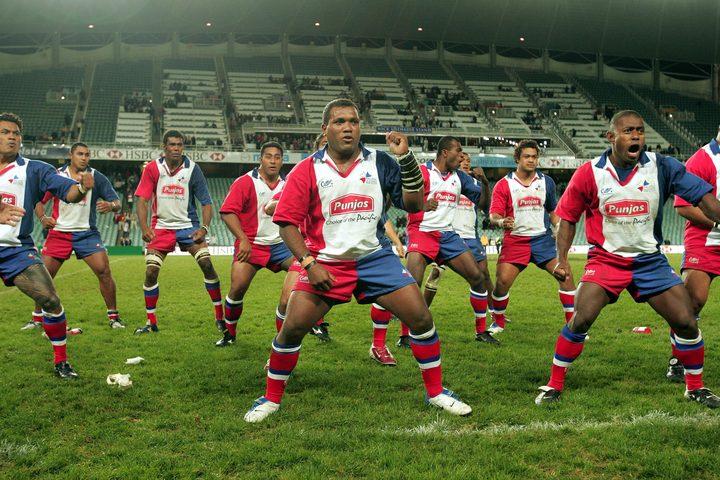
(678, 30)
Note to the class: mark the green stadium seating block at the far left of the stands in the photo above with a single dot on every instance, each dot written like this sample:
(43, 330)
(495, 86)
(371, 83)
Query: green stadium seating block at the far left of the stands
(25, 95)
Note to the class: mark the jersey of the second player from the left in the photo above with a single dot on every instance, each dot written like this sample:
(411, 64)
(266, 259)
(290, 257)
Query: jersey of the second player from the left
(81, 216)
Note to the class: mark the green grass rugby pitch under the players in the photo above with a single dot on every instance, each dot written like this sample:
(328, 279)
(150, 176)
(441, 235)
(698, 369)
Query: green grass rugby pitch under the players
(343, 416)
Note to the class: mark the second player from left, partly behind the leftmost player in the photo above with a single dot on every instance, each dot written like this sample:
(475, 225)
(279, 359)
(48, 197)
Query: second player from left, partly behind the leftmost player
(72, 228)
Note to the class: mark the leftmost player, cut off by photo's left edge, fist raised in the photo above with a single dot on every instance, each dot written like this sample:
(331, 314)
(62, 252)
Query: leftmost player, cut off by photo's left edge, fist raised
(23, 183)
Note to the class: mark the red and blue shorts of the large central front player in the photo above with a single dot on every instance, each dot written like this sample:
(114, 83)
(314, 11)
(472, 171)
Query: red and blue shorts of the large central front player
(367, 278)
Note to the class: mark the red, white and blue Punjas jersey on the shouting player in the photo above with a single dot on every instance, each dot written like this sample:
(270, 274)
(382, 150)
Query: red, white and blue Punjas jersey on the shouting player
(624, 215)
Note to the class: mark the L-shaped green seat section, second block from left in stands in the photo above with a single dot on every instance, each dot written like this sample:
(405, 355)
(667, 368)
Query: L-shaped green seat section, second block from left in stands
(111, 83)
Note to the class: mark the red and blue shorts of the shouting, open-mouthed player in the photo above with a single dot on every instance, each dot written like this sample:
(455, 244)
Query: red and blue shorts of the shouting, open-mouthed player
(643, 276)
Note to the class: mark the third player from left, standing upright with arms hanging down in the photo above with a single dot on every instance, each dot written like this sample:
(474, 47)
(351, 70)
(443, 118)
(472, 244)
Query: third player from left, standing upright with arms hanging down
(173, 182)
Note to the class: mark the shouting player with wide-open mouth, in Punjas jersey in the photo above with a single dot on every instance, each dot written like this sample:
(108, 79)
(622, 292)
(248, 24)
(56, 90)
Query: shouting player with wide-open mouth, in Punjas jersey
(622, 193)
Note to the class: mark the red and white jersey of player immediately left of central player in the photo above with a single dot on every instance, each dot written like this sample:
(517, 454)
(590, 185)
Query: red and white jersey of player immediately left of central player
(246, 199)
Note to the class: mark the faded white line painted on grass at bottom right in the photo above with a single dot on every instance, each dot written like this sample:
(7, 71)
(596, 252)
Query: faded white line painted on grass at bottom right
(441, 426)
